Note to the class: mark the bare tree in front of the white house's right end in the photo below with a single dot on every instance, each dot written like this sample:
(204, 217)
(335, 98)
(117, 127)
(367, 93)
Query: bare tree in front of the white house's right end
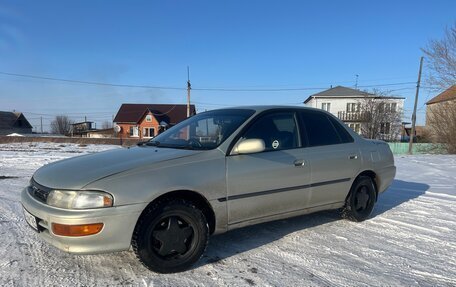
(380, 115)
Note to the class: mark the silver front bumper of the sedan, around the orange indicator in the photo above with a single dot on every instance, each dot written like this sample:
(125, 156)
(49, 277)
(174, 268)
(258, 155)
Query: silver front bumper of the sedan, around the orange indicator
(119, 223)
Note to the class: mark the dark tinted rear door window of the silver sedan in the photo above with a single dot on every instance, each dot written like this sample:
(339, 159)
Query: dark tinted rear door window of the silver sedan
(319, 129)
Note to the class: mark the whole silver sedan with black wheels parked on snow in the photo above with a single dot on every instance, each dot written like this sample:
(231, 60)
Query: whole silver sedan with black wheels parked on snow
(216, 171)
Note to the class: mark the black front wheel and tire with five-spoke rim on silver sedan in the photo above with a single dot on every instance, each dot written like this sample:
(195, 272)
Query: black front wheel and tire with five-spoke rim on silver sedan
(170, 236)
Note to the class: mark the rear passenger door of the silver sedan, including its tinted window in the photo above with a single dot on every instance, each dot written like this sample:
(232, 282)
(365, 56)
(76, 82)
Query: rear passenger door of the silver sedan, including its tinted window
(333, 156)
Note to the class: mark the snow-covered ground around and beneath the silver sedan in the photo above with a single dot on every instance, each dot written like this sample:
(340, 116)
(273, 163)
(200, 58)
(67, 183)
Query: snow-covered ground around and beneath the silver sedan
(410, 239)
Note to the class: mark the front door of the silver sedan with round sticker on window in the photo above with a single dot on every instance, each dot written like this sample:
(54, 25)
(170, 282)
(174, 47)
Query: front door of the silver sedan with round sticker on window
(271, 182)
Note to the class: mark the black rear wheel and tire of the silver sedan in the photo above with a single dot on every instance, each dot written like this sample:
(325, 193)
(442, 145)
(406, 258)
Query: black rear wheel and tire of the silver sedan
(361, 200)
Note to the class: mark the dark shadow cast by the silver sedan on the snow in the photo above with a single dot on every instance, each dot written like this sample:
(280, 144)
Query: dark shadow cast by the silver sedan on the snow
(248, 238)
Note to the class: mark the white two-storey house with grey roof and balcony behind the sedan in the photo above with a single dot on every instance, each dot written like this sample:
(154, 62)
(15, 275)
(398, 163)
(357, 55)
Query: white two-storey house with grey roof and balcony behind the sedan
(347, 104)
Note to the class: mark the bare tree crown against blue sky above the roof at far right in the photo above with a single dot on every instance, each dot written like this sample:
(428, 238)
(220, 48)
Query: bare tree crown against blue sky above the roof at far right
(441, 60)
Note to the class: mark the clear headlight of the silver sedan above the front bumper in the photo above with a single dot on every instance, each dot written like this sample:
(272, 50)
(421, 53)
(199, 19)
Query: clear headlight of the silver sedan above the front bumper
(70, 199)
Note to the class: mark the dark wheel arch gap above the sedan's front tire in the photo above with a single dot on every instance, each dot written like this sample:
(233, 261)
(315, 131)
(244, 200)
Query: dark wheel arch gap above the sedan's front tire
(196, 198)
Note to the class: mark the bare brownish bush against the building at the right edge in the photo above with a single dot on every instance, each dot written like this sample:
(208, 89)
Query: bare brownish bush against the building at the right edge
(441, 119)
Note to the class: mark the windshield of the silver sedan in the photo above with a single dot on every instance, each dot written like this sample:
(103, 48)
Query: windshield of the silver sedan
(203, 131)
